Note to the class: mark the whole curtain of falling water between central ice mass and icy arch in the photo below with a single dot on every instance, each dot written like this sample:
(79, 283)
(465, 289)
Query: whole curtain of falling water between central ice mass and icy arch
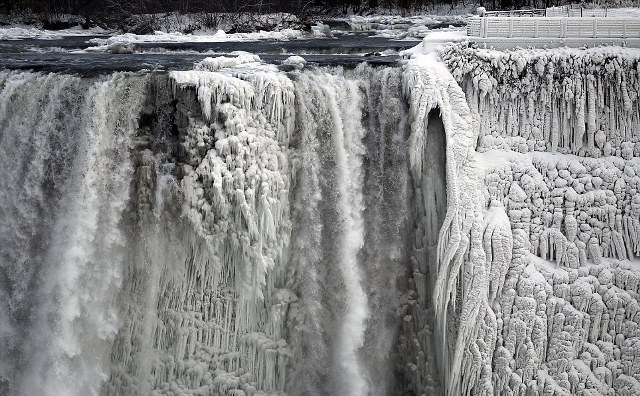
(346, 151)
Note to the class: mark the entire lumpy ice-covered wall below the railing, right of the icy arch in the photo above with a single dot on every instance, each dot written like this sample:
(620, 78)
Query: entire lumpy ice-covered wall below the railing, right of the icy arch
(558, 149)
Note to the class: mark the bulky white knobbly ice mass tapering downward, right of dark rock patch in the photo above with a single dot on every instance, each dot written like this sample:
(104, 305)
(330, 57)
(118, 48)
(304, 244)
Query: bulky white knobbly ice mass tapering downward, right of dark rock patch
(238, 189)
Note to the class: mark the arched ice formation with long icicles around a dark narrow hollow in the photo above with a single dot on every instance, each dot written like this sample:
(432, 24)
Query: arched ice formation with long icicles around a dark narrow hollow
(451, 275)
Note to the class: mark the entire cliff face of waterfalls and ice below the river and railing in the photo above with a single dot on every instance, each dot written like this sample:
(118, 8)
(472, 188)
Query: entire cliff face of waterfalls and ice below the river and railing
(461, 225)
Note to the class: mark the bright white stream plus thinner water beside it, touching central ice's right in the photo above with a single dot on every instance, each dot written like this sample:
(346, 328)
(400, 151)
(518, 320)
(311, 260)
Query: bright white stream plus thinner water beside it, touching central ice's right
(332, 135)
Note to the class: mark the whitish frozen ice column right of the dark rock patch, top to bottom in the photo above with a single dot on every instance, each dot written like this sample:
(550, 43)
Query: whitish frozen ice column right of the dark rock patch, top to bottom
(236, 189)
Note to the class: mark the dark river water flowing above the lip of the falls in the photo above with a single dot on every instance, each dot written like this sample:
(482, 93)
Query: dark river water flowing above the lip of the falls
(69, 53)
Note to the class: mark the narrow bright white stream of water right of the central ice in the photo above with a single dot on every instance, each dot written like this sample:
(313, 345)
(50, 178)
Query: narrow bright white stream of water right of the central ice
(346, 132)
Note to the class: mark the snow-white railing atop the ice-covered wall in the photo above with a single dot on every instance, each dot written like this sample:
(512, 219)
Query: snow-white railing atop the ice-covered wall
(535, 27)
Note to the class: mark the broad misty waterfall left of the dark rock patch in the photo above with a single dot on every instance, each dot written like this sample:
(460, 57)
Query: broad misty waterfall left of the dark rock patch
(65, 177)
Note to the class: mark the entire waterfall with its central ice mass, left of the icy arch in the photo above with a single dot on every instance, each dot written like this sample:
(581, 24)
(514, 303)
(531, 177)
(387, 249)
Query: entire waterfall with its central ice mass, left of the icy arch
(229, 230)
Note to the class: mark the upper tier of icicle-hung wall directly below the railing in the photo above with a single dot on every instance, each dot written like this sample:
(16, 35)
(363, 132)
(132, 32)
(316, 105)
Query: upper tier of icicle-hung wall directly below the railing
(570, 101)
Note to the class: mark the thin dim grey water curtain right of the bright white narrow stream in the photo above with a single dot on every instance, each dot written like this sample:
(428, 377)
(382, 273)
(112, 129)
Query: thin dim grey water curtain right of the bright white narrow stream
(385, 260)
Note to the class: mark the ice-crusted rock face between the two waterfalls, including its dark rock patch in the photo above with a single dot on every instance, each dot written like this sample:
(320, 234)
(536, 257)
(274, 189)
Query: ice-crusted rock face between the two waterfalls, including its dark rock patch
(205, 290)
